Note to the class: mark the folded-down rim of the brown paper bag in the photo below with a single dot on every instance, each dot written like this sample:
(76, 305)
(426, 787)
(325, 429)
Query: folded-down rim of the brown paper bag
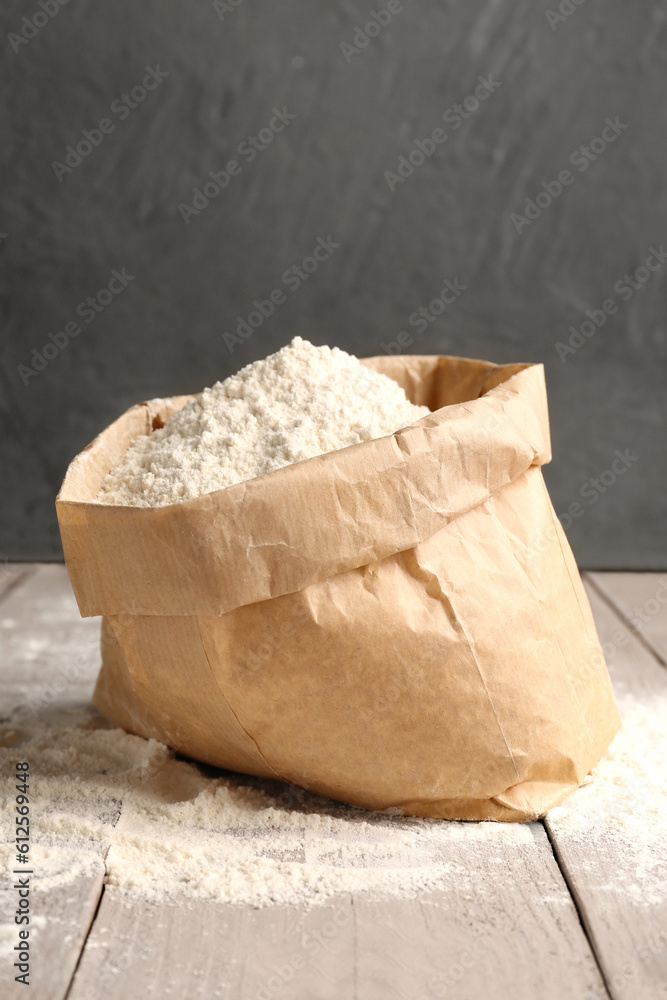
(278, 533)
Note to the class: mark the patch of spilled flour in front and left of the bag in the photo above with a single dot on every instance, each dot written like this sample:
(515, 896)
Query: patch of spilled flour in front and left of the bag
(186, 830)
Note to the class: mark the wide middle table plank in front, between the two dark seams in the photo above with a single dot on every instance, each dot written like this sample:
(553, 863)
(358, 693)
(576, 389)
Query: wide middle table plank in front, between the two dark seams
(506, 927)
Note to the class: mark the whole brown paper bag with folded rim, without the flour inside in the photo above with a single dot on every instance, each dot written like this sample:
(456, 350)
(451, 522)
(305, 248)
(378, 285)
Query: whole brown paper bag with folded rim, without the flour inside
(399, 624)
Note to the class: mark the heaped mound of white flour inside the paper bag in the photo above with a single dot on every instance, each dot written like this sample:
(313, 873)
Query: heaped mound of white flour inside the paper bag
(300, 402)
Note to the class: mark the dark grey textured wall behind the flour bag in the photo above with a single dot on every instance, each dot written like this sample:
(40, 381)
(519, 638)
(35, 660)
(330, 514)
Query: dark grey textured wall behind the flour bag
(65, 229)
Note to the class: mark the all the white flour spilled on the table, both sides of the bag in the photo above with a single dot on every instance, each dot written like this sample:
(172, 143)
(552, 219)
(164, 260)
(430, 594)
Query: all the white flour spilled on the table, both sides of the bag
(165, 828)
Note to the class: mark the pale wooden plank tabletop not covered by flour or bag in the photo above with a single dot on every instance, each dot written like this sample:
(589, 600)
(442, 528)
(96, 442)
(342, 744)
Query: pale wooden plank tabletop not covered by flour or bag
(536, 919)
